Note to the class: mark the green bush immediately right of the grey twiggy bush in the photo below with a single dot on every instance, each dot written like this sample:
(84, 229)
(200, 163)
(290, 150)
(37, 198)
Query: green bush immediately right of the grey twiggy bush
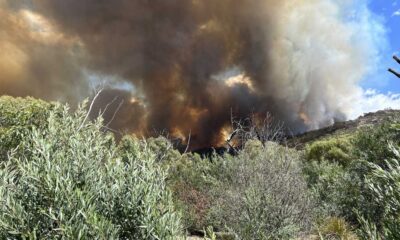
(342, 192)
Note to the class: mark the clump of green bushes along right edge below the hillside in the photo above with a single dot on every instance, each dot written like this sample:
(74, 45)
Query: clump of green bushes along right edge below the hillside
(363, 191)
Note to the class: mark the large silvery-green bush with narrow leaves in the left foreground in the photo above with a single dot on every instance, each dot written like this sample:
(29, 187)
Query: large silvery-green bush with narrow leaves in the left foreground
(76, 184)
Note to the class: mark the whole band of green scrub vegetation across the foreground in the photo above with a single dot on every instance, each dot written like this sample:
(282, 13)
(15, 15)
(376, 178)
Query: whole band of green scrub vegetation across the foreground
(63, 176)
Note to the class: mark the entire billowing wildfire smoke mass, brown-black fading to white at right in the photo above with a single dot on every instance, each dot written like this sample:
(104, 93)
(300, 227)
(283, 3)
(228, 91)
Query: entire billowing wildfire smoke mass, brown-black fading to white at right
(190, 62)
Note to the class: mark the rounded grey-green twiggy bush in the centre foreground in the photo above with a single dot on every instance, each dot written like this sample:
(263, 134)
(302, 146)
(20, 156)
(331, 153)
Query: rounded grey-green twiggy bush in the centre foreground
(263, 194)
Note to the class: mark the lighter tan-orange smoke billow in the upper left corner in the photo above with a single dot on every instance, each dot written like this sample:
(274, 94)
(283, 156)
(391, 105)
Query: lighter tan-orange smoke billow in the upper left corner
(37, 60)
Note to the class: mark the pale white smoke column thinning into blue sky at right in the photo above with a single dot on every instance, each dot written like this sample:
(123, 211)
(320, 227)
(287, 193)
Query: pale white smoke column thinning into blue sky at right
(322, 53)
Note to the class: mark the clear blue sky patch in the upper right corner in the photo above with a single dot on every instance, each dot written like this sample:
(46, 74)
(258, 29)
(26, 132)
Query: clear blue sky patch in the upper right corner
(389, 13)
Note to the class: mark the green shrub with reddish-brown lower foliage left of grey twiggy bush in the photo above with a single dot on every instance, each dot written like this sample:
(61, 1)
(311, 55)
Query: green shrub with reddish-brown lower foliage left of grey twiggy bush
(190, 177)
